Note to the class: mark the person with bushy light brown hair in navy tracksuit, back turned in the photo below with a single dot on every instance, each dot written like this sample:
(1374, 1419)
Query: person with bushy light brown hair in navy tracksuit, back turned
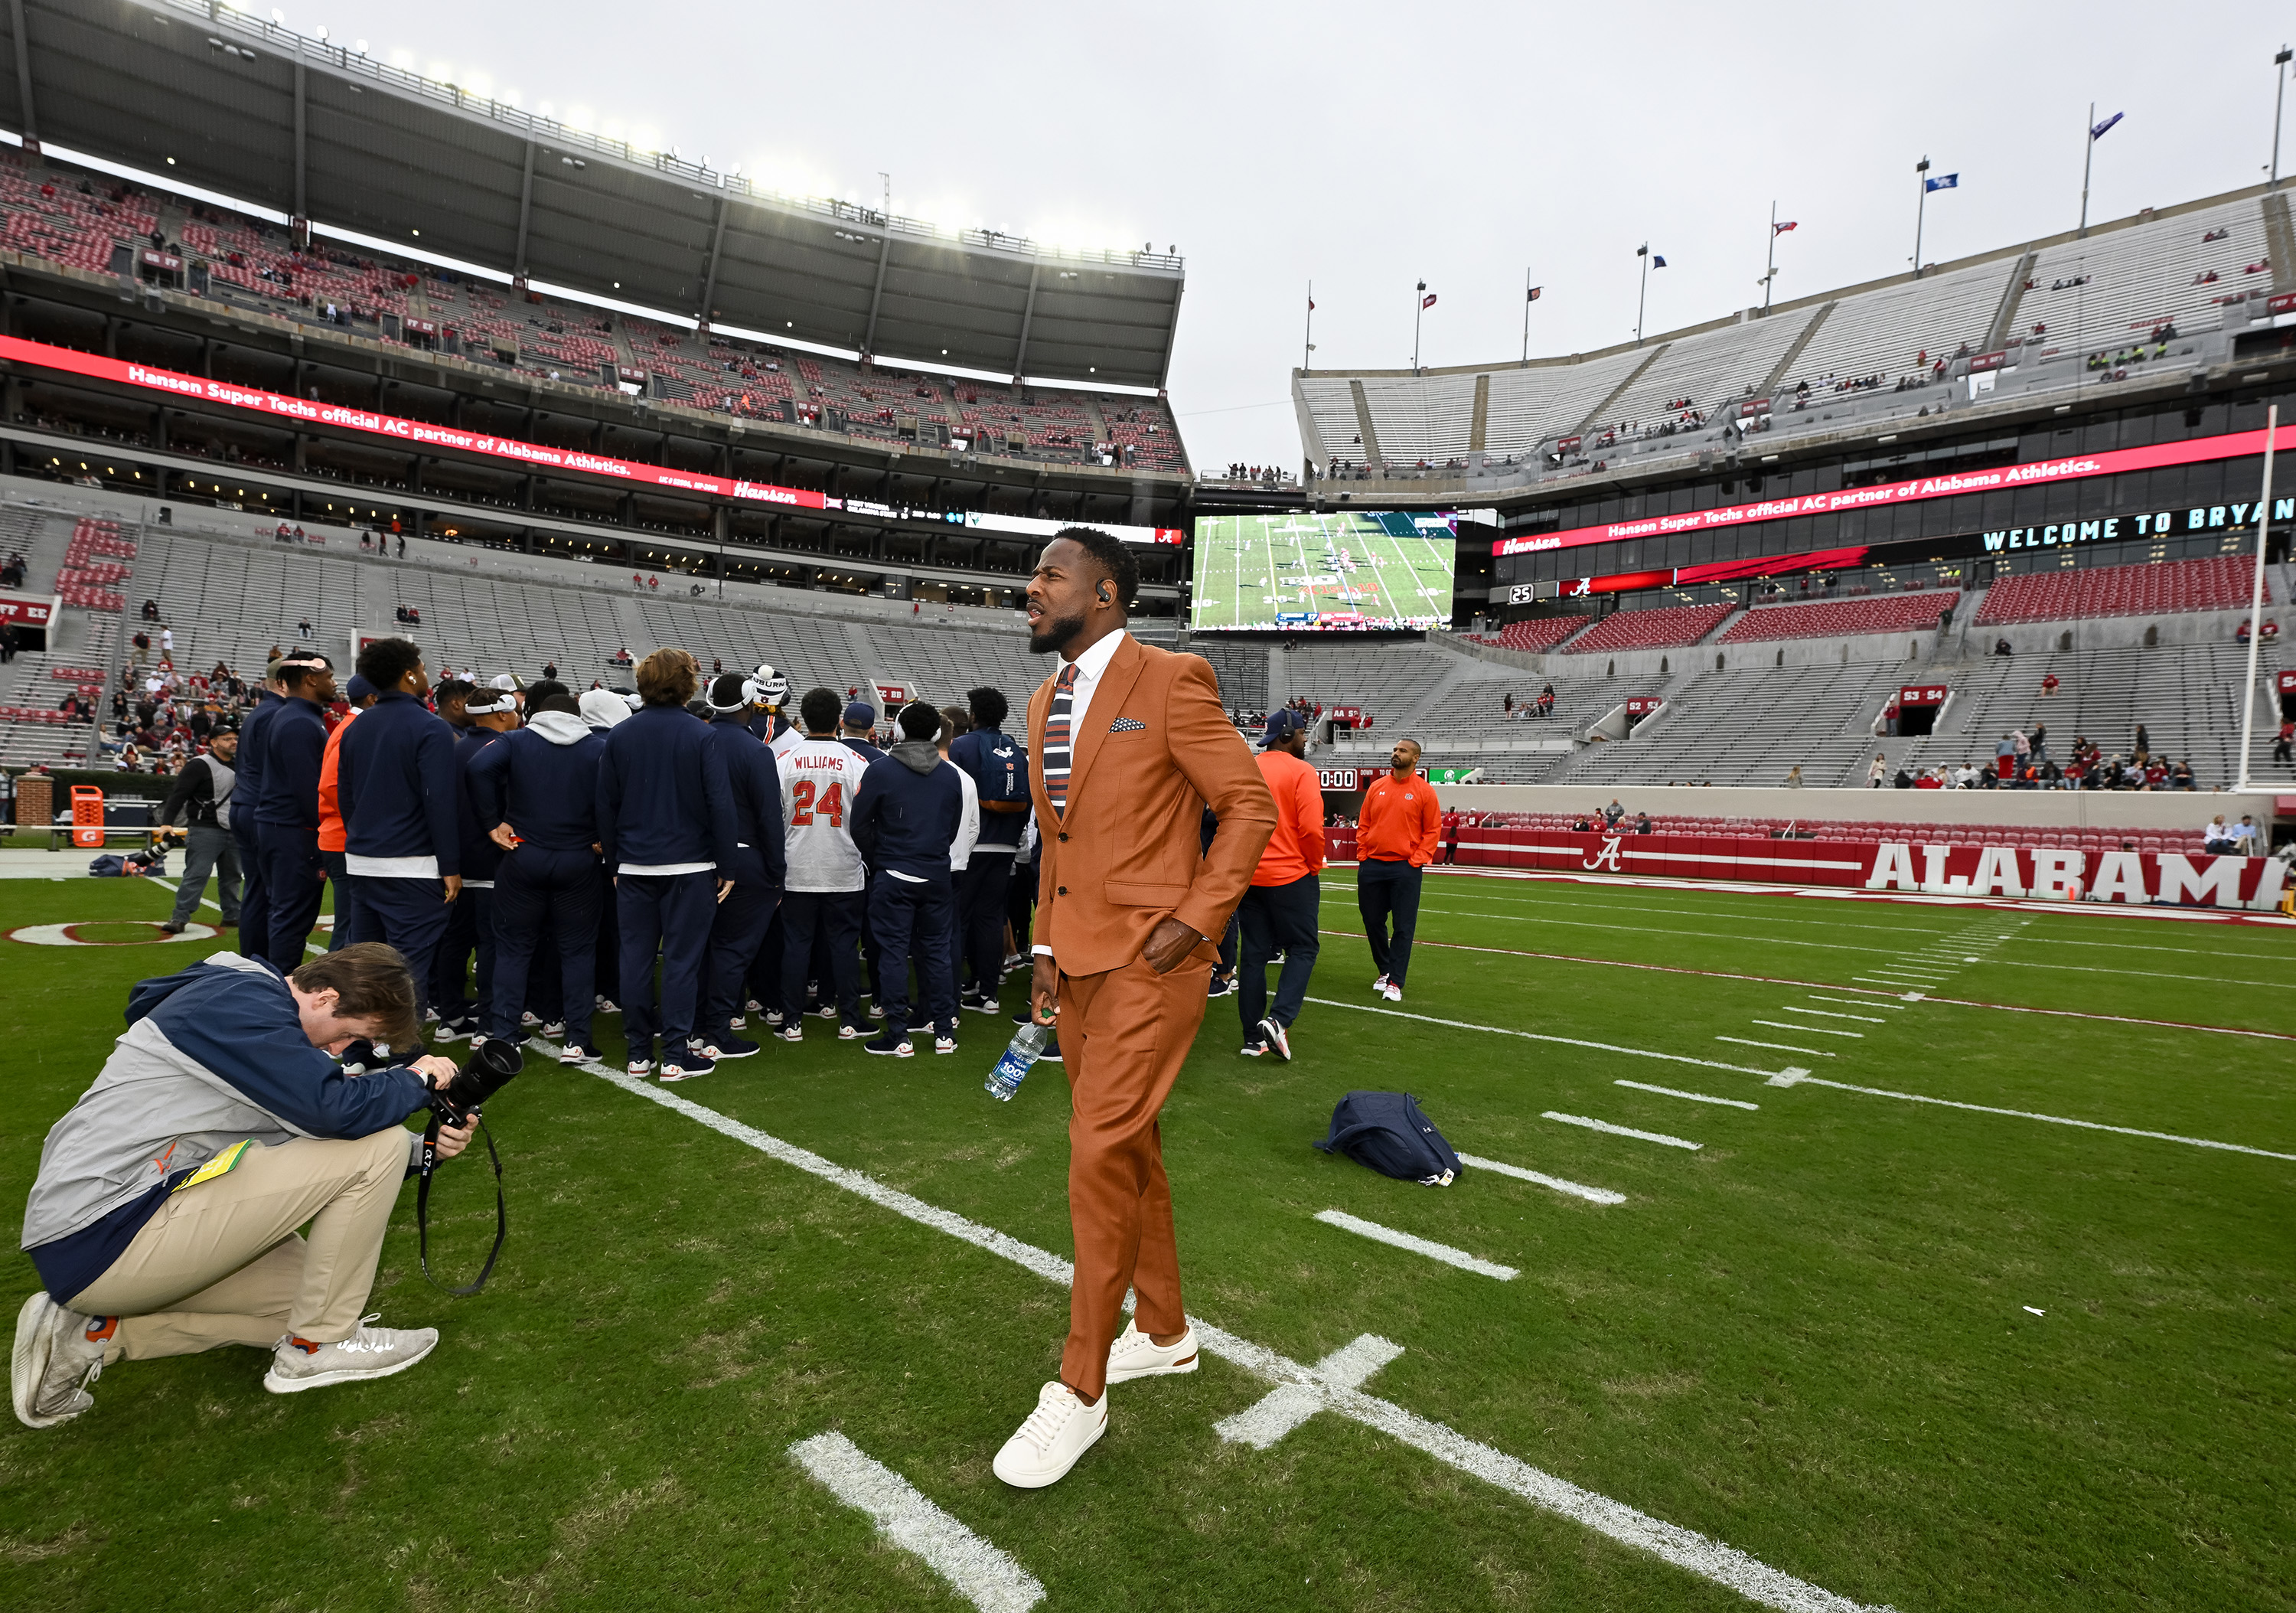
(667, 826)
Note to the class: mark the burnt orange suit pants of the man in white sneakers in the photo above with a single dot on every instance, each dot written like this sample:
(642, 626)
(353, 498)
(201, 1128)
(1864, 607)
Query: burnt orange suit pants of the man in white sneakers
(1124, 1040)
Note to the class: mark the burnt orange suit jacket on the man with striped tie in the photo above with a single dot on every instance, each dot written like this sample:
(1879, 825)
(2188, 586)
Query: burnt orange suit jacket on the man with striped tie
(1154, 753)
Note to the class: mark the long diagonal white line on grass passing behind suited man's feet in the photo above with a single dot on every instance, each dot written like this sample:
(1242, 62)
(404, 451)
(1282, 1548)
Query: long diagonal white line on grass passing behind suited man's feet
(1670, 1543)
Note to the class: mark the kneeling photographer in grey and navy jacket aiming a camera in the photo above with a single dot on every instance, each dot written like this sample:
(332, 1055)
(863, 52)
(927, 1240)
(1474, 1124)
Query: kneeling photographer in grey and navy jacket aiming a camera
(166, 1207)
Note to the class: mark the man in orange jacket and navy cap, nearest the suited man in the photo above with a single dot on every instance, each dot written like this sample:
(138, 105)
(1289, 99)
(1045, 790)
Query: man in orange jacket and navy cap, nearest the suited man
(1287, 900)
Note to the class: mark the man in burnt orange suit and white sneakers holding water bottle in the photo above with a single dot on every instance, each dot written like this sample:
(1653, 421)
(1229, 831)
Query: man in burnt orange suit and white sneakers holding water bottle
(1126, 750)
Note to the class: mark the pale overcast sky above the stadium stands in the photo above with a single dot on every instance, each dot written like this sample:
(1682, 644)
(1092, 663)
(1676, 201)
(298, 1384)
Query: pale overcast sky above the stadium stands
(1372, 146)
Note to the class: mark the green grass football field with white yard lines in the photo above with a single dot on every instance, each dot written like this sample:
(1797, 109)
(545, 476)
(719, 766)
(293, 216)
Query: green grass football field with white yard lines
(1989, 1311)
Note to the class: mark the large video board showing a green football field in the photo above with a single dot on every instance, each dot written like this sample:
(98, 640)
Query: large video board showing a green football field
(1252, 571)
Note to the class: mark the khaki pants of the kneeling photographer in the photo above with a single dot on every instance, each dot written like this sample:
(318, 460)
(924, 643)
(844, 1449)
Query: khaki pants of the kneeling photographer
(224, 1263)
